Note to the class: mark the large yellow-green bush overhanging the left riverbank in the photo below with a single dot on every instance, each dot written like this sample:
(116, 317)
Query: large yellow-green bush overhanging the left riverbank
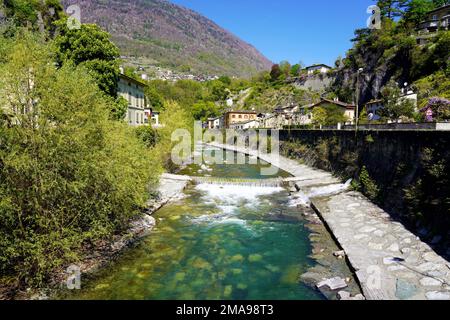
(68, 174)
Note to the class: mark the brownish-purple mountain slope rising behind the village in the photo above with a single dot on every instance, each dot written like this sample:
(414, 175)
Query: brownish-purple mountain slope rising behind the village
(172, 36)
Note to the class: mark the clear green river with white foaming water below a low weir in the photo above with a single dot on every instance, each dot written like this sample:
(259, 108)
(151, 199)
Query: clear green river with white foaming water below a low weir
(219, 242)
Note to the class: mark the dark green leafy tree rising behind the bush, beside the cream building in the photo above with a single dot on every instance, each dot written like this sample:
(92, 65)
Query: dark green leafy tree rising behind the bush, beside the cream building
(92, 48)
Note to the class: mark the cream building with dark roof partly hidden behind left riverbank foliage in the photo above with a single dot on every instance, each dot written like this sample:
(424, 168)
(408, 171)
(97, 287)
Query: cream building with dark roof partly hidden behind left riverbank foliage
(133, 91)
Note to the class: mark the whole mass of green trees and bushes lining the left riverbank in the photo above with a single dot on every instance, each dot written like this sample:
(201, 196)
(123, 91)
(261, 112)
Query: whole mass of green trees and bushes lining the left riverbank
(72, 173)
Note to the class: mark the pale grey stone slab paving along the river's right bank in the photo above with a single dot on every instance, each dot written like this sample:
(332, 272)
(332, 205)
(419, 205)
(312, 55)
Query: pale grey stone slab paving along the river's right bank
(390, 262)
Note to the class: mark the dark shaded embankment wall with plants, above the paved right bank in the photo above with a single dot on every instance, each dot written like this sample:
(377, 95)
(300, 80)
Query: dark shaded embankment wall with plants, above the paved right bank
(407, 173)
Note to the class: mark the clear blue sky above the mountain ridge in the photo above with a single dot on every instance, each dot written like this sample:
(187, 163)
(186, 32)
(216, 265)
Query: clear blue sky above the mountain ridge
(311, 31)
